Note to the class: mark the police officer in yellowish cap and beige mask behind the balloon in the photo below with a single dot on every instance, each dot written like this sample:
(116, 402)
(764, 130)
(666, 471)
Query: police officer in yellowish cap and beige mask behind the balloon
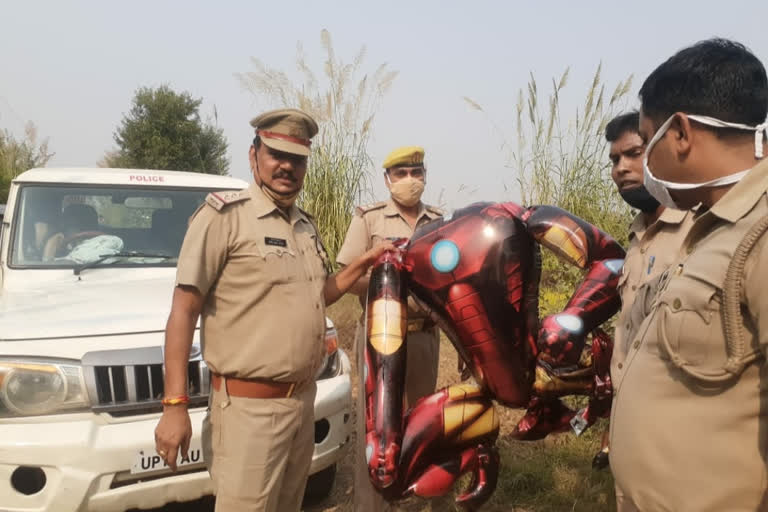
(405, 177)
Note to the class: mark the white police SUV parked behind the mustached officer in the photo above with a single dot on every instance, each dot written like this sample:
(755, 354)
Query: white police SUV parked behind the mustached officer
(87, 266)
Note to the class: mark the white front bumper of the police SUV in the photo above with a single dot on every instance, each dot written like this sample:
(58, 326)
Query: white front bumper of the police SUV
(86, 459)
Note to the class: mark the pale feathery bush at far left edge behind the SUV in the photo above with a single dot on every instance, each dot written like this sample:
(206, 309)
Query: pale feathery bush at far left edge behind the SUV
(17, 156)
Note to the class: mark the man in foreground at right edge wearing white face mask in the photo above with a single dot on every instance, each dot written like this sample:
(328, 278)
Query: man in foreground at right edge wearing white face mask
(689, 424)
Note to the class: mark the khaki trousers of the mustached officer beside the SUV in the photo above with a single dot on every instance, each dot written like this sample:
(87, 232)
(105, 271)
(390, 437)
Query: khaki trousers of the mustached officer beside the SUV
(258, 451)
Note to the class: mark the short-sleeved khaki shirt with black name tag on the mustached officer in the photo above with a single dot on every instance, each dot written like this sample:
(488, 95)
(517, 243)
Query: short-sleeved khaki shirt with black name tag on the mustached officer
(262, 273)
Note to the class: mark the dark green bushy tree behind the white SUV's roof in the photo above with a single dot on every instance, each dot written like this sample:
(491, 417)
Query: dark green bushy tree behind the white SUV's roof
(163, 130)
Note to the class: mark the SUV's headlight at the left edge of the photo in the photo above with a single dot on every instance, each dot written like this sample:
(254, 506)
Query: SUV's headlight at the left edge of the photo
(32, 388)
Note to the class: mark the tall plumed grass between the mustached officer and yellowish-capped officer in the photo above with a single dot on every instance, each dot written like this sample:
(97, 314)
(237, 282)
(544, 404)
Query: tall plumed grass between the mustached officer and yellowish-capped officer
(344, 100)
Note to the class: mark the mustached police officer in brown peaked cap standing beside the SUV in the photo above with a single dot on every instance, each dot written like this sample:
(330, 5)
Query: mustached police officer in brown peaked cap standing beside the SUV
(253, 267)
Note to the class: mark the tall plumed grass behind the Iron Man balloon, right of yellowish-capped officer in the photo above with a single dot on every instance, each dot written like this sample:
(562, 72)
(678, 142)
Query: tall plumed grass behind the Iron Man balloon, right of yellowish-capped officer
(562, 160)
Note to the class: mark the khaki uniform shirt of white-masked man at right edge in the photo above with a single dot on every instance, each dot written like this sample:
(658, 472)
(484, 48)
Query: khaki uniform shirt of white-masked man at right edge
(678, 444)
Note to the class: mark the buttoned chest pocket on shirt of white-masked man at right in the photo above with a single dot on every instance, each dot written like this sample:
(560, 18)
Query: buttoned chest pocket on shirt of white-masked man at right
(689, 321)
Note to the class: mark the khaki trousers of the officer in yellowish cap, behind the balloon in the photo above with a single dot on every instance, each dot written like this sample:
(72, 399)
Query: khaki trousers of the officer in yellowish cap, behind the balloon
(420, 380)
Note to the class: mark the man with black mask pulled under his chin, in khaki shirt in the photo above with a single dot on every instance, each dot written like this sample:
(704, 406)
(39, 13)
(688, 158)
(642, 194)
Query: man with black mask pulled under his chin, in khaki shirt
(655, 233)
